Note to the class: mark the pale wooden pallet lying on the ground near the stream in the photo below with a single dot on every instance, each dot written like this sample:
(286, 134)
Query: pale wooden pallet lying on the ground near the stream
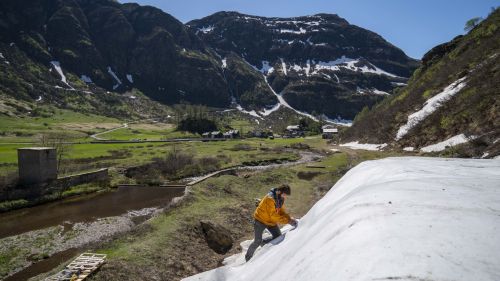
(80, 268)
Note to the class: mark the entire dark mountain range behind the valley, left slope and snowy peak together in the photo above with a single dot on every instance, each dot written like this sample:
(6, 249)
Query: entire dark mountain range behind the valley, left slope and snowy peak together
(317, 64)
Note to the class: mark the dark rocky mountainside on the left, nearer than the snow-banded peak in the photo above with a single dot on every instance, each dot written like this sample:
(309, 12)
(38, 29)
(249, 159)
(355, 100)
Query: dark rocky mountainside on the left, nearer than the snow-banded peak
(78, 44)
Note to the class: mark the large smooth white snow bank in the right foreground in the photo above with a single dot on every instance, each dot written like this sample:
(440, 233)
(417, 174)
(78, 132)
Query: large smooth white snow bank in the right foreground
(406, 218)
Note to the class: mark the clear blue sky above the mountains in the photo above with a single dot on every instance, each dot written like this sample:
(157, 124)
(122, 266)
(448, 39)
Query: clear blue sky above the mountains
(415, 26)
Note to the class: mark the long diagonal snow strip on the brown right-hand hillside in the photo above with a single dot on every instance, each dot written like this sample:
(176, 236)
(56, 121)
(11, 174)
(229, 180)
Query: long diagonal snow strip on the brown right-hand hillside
(430, 106)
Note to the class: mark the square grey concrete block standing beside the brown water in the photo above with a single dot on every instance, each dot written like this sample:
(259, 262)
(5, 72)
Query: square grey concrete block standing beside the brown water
(37, 165)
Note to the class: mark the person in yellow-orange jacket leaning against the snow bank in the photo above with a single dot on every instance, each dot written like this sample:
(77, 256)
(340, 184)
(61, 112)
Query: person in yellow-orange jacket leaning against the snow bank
(268, 214)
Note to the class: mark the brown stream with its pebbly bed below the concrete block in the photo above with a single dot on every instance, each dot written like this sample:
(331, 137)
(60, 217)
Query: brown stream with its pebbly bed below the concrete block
(134, 203)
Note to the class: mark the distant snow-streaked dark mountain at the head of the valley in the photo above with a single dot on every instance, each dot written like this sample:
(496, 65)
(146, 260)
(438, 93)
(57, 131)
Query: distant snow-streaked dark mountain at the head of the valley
(317, 63)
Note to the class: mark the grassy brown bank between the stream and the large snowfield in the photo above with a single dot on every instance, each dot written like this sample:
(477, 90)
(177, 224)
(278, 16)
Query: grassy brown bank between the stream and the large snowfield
(172, 245)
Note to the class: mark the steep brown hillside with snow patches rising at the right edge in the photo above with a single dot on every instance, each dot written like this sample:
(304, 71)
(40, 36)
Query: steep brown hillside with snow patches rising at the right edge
(453, 96)
